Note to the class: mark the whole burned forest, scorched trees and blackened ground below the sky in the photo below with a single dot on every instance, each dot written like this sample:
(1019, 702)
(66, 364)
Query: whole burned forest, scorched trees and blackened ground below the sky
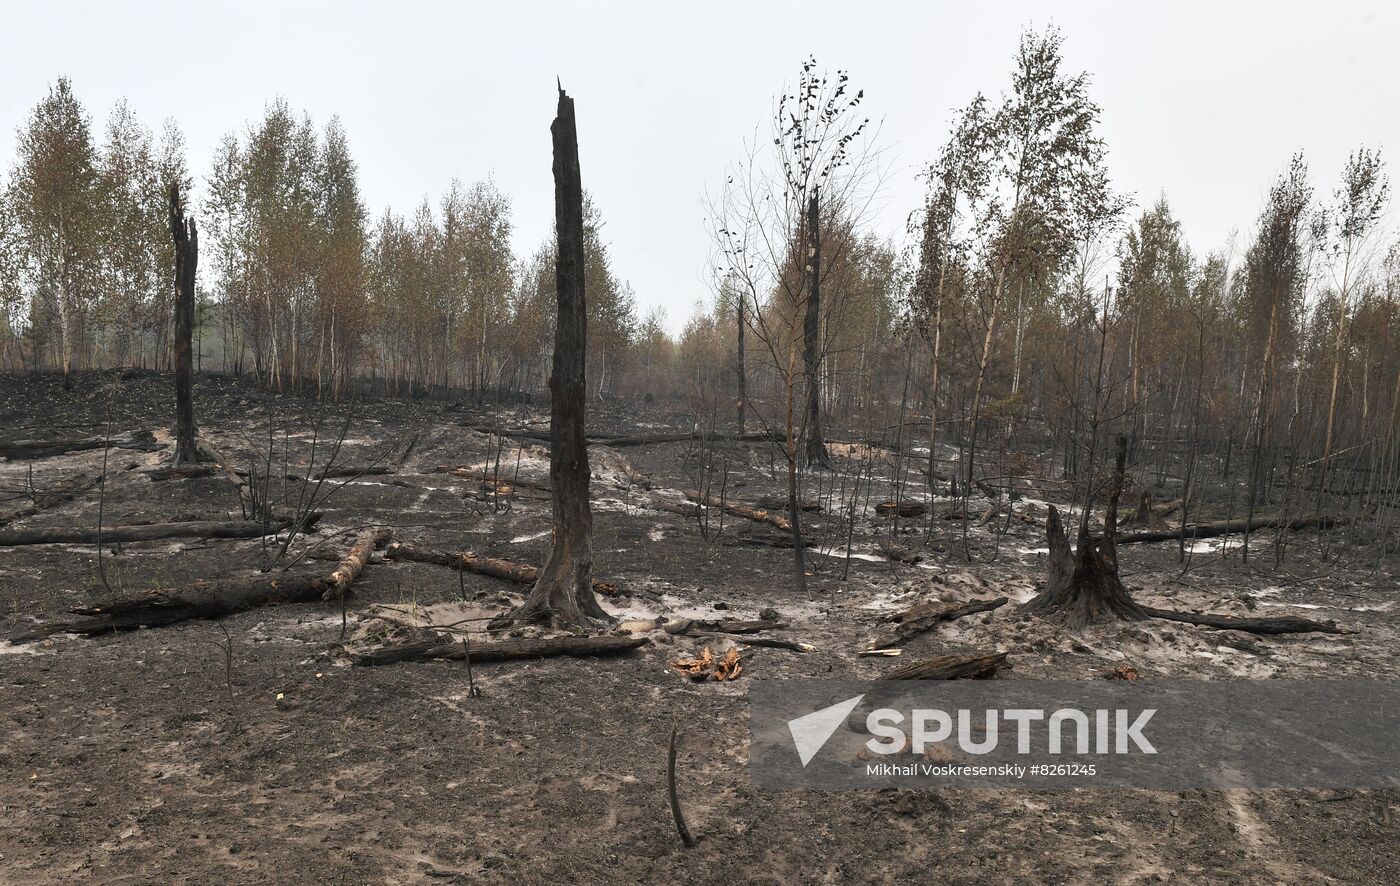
(341, 545)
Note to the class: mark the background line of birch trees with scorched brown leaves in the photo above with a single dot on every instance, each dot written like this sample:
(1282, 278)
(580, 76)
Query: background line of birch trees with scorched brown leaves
(1025, 290)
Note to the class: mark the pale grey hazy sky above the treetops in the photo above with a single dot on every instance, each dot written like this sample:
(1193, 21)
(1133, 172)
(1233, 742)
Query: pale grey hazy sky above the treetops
(1203, 101)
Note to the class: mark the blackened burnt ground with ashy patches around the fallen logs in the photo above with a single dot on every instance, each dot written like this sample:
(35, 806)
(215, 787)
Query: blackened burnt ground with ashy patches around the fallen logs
(181, 755)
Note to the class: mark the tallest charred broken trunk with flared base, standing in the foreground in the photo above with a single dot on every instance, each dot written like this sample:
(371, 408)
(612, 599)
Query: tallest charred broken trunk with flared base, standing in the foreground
(563, 594)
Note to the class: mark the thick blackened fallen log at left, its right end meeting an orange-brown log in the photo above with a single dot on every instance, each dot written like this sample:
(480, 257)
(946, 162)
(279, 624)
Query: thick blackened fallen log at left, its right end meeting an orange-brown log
(199, 601)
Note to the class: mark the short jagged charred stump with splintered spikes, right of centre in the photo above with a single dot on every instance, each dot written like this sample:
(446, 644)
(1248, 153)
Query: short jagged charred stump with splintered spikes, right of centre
(1084, 586)
